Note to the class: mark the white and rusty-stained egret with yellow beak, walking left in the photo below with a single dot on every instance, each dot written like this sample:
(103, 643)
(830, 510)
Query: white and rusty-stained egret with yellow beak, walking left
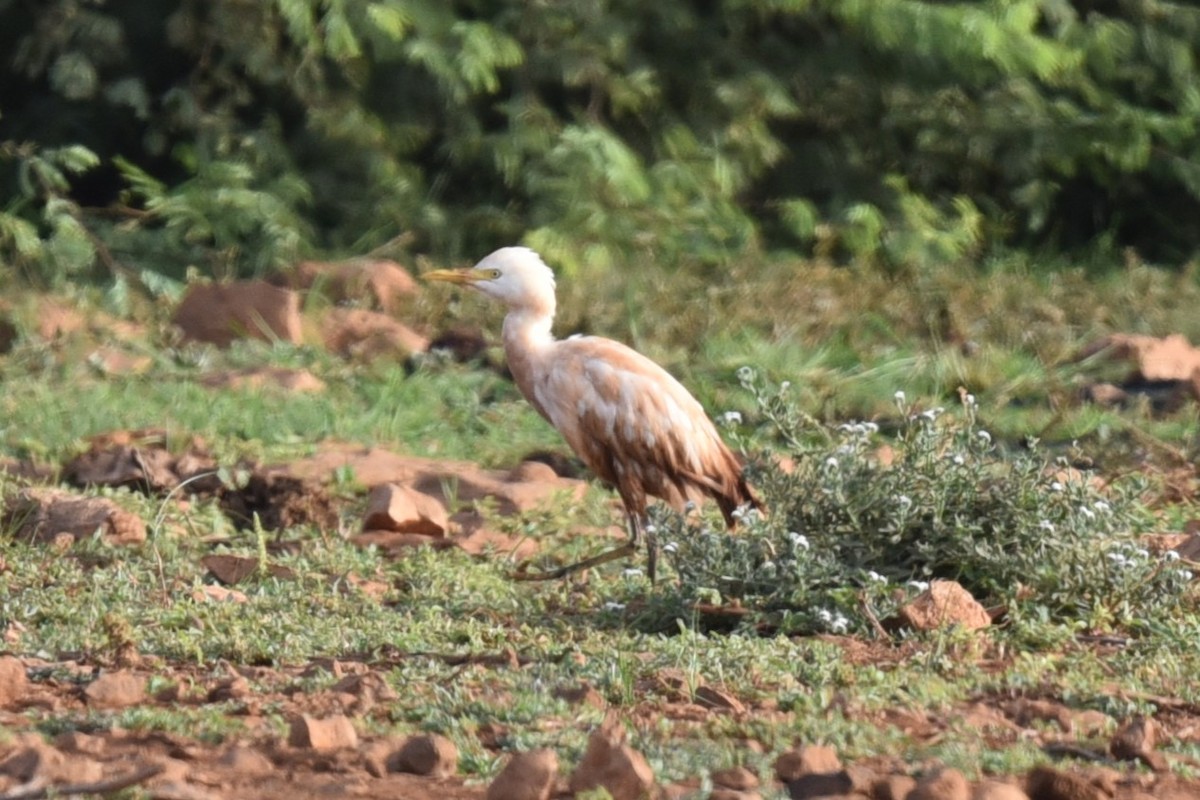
(628, 419)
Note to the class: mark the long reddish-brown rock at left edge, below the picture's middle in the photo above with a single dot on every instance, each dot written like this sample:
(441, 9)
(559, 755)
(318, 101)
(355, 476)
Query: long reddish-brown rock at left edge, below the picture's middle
(45, 516)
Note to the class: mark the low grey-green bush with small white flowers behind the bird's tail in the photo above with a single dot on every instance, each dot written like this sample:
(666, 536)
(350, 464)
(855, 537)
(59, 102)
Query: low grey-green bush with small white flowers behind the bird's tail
(847, 530)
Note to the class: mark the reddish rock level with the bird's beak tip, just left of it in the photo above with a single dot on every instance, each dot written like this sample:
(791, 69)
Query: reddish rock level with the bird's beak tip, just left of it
(383, 281)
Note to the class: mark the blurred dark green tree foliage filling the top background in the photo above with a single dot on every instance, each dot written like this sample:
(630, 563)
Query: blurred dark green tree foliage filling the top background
(143, 137)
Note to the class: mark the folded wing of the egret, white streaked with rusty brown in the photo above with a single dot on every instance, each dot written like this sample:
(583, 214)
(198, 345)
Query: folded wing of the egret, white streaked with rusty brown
(633, 423)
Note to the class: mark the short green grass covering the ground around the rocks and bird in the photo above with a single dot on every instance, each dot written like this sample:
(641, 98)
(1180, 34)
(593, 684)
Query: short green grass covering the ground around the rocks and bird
(845, 340)
